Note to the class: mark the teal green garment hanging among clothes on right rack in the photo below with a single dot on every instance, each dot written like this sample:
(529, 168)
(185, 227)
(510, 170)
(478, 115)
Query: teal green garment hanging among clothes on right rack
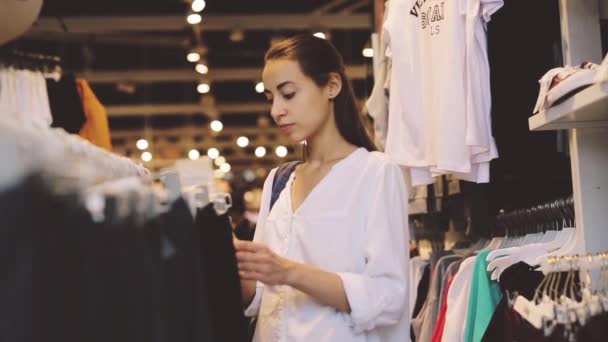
(485, 295)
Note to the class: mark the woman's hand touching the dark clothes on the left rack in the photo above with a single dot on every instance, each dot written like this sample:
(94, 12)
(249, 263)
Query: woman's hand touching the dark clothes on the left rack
(258, 262)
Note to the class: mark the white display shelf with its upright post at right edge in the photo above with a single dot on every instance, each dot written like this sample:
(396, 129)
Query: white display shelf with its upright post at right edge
(585, 115)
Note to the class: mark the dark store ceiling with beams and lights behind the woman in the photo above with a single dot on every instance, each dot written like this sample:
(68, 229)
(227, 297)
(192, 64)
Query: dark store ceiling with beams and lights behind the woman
(134, 55)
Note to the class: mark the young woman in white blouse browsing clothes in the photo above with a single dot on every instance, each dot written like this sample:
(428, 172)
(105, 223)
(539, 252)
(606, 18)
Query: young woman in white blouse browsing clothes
(329, 262)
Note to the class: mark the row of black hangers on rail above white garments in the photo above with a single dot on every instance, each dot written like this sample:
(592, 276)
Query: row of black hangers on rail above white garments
(553, 215)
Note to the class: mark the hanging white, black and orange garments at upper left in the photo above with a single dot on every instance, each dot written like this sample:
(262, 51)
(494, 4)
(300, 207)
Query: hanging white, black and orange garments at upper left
(34, 89)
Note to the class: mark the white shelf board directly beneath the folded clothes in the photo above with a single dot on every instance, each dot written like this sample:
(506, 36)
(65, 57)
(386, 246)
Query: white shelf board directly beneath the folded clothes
(588, 108)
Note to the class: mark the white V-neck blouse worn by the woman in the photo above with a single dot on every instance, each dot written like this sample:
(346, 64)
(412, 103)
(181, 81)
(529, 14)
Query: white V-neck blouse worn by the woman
(353, 223)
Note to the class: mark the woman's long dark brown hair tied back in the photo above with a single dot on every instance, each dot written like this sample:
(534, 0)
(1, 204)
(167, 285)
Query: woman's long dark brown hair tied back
(318, 58)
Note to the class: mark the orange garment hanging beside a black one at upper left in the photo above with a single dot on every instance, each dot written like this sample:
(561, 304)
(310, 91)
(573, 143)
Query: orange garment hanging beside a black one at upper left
(96, 128)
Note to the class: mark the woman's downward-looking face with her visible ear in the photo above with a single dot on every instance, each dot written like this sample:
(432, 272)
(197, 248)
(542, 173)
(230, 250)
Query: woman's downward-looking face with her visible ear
(299, 107)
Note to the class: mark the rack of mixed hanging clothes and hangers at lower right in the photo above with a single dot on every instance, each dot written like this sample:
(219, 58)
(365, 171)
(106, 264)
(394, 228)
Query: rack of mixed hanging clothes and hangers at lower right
(468, 301)
